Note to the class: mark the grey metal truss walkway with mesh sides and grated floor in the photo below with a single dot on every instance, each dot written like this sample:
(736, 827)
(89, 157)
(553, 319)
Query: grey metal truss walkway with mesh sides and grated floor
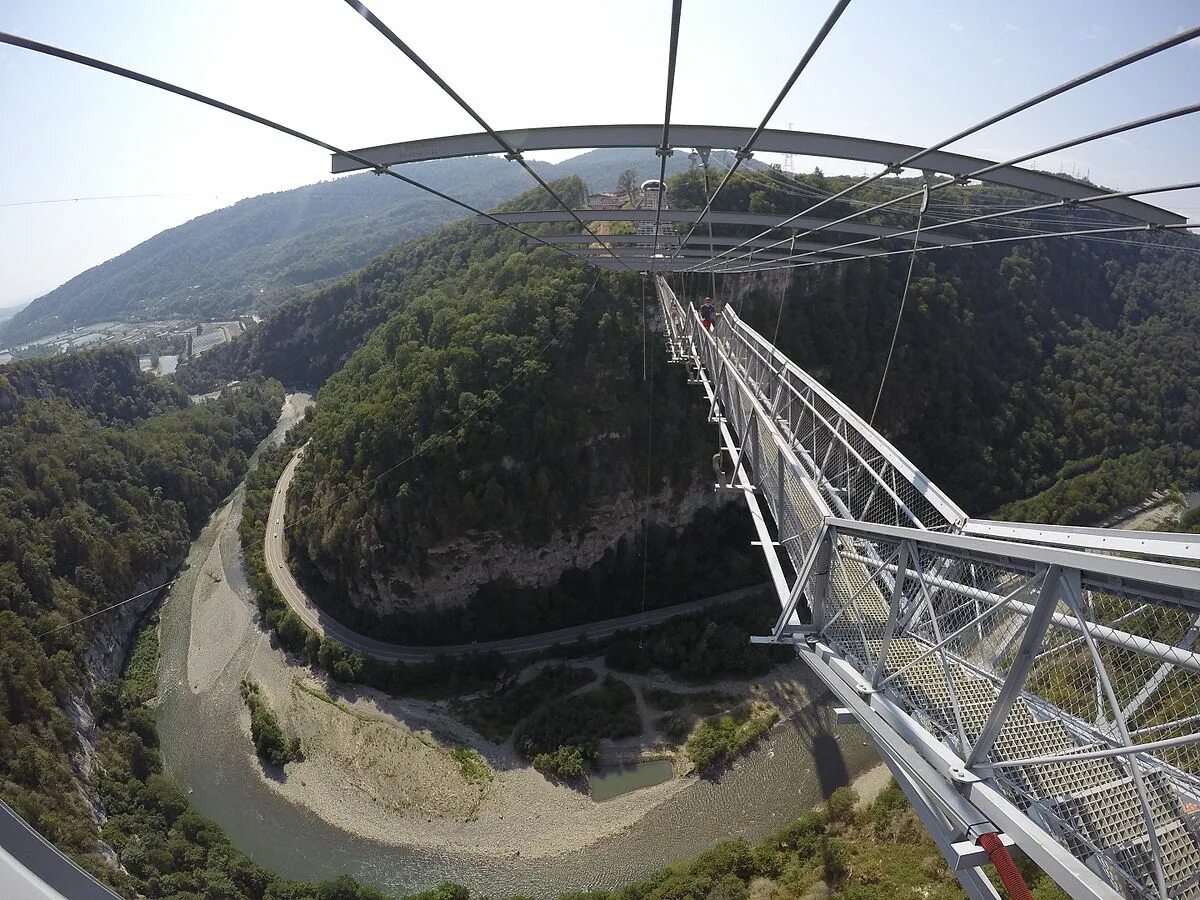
(1042, 683)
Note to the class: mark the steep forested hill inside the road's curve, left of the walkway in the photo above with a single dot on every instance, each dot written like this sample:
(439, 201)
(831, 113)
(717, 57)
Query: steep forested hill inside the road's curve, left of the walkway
(494, 434)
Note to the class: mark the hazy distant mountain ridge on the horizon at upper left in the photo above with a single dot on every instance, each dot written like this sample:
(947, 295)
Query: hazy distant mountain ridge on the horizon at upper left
(251, 256)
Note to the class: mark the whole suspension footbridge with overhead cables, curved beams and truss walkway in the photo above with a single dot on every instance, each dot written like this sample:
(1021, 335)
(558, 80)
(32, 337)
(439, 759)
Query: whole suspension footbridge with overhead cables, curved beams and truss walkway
(1027, 686)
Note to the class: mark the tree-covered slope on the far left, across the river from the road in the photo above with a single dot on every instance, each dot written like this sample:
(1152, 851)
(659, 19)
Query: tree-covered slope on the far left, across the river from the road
(105, 477)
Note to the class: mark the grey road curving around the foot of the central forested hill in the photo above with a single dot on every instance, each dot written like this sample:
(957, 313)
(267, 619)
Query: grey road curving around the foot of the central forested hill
(315, 619)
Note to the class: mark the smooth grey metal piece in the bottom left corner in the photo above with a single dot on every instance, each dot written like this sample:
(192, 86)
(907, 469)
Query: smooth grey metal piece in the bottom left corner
(33, 869)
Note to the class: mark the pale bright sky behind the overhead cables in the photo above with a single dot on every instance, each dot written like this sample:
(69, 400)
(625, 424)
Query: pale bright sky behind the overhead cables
(914, 71)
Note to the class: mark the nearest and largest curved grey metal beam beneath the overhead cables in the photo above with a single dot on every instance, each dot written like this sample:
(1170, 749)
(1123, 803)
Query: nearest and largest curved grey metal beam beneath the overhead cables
(775, 141)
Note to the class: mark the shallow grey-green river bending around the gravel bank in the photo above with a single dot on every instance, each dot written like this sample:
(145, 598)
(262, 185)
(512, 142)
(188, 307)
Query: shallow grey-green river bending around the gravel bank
(206, 751)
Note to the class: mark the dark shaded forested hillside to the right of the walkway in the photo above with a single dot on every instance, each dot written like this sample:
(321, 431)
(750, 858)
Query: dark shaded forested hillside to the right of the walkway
(1013, 361)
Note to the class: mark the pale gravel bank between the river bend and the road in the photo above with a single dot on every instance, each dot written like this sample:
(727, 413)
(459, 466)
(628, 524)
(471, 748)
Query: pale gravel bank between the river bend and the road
(381, 767)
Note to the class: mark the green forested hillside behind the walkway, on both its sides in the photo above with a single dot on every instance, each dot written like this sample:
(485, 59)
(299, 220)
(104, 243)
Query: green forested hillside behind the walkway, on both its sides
(1013, 363)
